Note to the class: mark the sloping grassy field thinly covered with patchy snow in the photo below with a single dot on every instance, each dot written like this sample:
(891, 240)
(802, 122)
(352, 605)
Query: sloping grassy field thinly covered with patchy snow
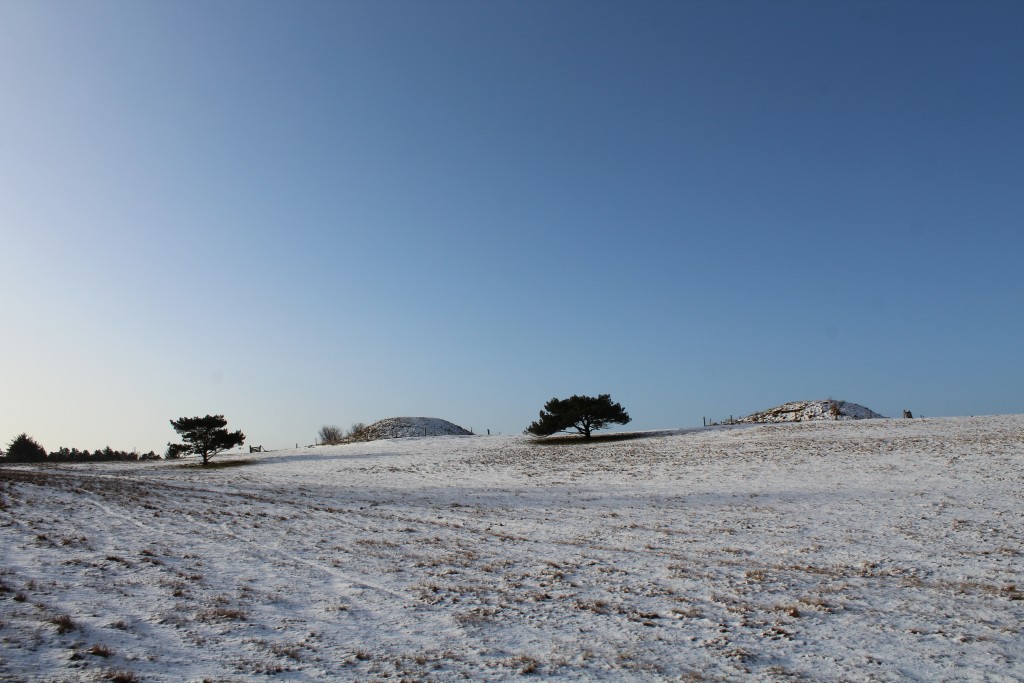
(876, 550)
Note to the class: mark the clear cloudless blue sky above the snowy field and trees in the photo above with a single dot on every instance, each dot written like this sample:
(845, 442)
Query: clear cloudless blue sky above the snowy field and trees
(308, 214)
